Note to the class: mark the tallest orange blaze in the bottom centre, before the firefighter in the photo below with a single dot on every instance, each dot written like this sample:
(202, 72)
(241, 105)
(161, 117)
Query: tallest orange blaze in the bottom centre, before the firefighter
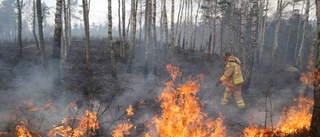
(182, 113)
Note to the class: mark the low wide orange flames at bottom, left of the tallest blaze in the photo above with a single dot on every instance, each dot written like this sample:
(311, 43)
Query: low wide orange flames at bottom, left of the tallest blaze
(78, 126)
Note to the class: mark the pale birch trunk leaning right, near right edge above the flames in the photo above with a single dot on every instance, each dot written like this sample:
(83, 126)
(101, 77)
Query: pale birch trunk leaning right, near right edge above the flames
(302, 46)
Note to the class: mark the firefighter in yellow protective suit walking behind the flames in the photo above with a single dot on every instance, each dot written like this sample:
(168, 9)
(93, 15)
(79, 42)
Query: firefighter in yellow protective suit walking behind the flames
(232, 78)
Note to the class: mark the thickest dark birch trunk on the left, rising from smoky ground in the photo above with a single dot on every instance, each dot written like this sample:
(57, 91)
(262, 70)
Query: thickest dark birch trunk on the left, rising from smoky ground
(56, 48)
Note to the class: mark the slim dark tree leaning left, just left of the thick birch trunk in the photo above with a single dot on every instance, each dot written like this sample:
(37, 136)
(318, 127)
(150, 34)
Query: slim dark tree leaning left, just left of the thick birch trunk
(40, 29)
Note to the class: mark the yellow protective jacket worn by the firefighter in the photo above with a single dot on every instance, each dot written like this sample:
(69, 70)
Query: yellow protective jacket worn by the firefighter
(232, 71)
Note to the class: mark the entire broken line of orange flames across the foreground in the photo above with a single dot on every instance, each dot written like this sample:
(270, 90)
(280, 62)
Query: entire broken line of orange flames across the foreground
(182, 115)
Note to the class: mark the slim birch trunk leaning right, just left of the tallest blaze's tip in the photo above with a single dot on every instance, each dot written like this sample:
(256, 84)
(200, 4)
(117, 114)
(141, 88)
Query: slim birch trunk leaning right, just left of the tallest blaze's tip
(133, 35)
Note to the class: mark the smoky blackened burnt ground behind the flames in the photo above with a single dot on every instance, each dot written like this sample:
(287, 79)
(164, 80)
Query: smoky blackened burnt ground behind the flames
(24, 87)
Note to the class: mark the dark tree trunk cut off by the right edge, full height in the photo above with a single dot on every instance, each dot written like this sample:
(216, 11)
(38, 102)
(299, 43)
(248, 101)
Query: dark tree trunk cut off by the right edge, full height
(315, 120)
